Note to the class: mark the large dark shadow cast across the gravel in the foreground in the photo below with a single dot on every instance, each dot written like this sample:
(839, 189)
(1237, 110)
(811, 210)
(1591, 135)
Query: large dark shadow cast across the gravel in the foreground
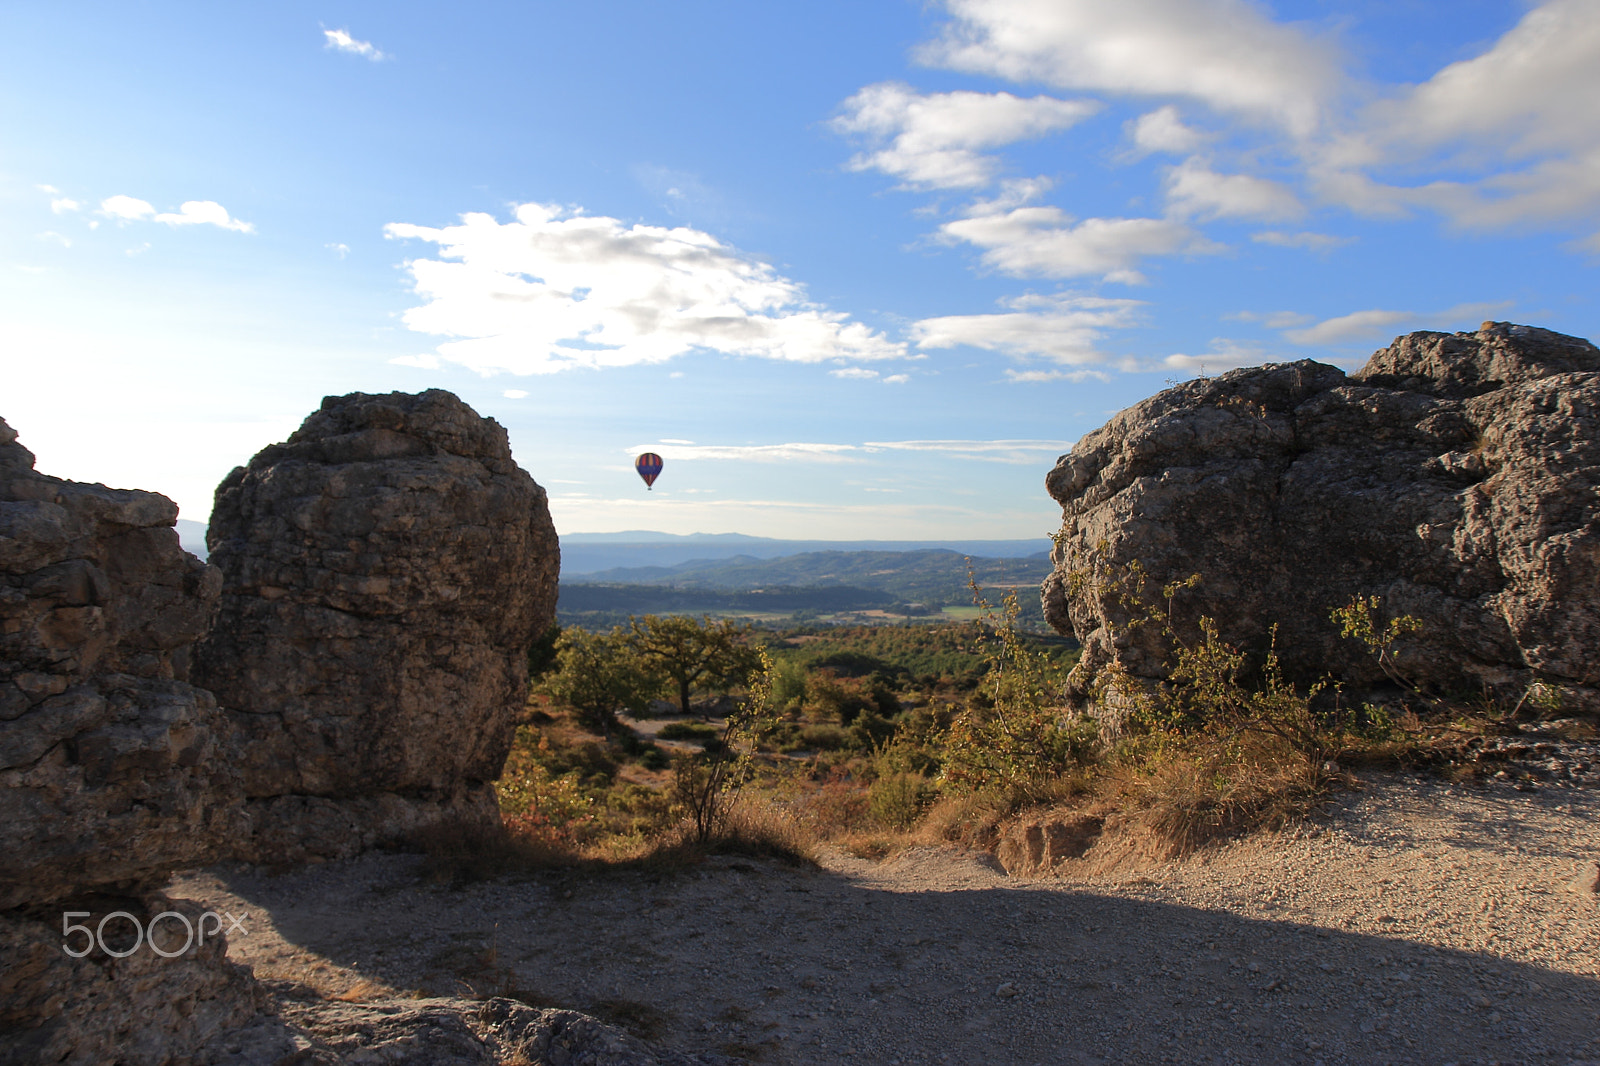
(785, 966)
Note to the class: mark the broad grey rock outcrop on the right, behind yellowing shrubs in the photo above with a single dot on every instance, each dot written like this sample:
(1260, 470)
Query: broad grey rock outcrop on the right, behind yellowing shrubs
(1455, 476)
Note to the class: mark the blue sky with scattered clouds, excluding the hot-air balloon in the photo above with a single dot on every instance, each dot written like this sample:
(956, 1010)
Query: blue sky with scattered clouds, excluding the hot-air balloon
(855, 270)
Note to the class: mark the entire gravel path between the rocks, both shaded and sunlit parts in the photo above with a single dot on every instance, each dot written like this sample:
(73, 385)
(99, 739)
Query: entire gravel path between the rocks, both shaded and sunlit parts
(1409, 923)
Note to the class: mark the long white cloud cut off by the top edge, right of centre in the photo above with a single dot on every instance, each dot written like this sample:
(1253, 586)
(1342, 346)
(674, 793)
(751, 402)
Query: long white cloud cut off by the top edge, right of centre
(1223, 54)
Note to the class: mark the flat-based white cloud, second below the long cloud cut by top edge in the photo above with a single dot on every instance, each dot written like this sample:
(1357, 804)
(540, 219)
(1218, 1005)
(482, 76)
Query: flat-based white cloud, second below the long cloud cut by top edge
(1049, 242)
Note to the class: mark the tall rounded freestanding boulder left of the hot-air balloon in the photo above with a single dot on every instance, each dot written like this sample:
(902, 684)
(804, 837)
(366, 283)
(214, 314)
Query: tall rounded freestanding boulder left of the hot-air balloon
(385, 574)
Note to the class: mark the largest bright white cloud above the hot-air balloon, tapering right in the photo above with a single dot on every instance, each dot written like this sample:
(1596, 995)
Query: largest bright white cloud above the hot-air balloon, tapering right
(558, 289)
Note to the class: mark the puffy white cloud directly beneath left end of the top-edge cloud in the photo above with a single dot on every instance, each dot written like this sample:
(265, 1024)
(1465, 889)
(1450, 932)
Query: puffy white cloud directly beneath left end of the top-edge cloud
(935, 140)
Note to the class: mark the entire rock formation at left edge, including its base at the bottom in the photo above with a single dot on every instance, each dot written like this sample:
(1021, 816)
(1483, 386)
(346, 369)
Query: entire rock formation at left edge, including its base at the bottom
(111, 777)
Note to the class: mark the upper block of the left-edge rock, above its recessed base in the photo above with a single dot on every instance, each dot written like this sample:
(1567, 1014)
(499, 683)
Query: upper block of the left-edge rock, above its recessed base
(108, 771)
